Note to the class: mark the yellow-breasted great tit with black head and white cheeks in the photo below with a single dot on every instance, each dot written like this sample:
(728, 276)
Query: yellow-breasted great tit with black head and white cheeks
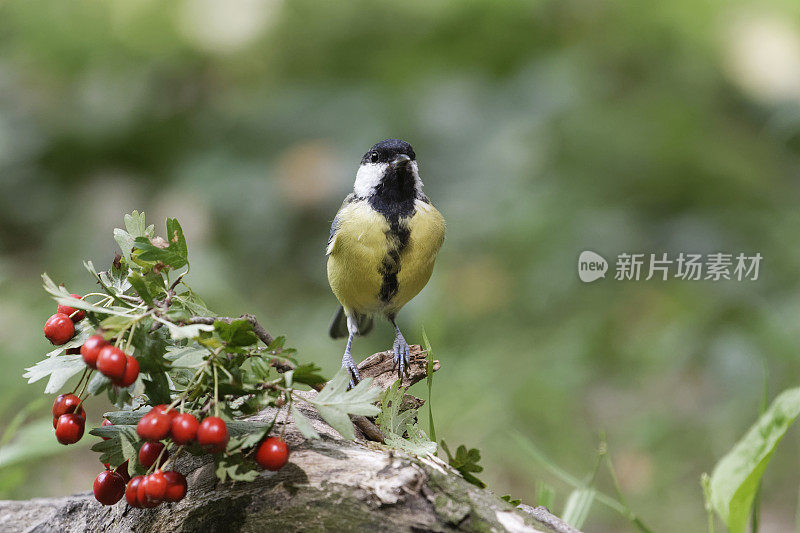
(382, 246)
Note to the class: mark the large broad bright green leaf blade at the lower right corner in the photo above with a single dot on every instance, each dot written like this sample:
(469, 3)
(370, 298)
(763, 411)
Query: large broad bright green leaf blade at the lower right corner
(736, 477)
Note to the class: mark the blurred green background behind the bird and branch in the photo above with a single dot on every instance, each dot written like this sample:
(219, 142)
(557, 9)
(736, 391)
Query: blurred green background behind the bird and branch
(542, 129)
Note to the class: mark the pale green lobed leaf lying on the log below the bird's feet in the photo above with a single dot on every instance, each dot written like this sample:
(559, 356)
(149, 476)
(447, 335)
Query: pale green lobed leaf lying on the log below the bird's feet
(334, 403)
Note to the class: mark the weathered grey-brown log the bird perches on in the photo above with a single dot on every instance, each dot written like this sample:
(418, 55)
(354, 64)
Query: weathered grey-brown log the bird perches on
(330, 484)
